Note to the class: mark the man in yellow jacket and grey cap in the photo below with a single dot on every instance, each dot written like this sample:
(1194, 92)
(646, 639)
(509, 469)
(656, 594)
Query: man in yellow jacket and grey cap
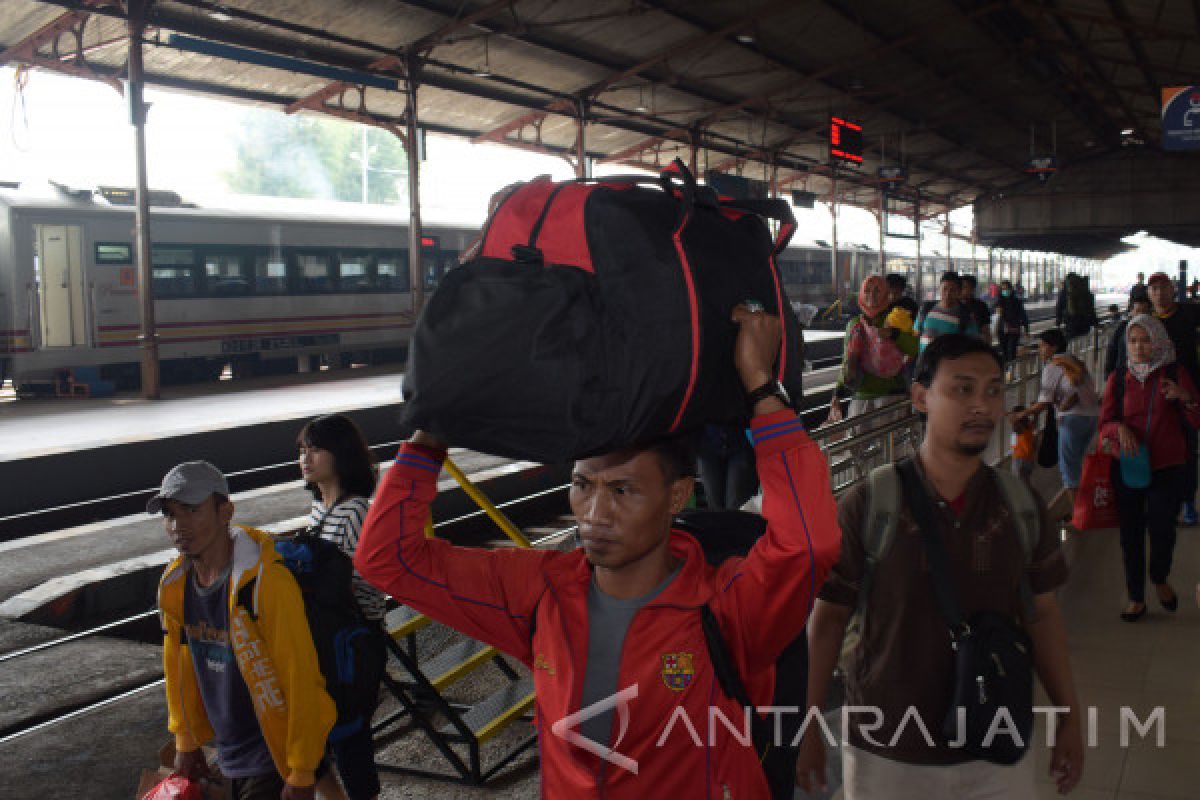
(239, 659)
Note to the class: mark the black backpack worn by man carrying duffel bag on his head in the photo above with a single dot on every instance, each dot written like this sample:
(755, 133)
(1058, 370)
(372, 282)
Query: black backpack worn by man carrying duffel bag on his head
(723, 536)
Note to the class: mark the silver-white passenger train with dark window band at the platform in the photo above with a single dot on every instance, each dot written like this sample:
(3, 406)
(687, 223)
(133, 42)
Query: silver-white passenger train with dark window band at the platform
(262, 292)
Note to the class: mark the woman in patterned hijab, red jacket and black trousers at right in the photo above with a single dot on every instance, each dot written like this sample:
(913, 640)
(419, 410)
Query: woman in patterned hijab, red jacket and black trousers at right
(1147, 406)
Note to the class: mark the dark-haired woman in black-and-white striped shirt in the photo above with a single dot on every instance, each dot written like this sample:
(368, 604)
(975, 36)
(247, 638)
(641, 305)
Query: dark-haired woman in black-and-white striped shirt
(339, 471)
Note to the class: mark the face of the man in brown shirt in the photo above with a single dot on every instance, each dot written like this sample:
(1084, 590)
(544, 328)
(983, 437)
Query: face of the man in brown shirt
(964, 404)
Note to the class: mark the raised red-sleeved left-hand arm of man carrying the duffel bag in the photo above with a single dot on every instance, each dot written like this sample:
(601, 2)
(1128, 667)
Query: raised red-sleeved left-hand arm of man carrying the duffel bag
(489, 596)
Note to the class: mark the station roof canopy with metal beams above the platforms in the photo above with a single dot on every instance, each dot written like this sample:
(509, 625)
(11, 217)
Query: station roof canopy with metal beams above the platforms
(961, 93)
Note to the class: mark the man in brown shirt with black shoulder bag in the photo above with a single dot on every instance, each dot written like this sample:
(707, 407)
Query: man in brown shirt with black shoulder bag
(904, 661)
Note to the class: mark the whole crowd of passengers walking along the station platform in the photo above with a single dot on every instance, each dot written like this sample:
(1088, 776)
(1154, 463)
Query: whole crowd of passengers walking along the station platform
(627, 607)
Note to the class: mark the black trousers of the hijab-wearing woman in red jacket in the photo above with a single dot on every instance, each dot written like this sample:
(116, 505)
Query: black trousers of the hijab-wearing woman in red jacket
(1150, 510)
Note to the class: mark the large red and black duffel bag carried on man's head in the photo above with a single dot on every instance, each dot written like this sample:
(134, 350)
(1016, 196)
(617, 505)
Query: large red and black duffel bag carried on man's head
(596, 316)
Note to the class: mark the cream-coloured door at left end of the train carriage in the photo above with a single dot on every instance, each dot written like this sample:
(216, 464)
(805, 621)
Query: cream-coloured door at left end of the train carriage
(61, 286)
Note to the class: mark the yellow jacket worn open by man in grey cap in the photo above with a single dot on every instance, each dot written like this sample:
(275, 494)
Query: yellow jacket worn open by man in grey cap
(275, 655)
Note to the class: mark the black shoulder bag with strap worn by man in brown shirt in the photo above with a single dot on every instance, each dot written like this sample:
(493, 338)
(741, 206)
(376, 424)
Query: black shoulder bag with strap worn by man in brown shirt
(993, 655)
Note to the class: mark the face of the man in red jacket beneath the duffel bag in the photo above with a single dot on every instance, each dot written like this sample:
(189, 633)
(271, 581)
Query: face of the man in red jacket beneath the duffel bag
(625, 506)
